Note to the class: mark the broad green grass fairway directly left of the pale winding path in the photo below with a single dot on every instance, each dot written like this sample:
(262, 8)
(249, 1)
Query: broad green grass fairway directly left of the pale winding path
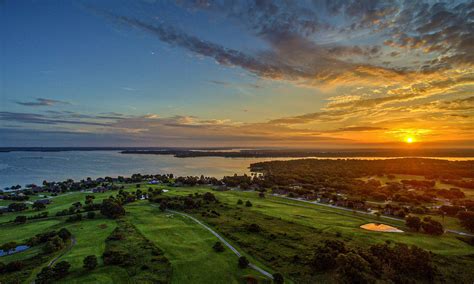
(187, 245)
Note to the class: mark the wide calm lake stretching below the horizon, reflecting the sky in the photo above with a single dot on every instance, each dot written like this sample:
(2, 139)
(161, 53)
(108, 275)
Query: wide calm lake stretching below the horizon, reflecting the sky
(34, 167)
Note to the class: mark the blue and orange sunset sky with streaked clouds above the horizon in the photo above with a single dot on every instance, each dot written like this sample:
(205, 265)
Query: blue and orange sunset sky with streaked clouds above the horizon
(312, 74)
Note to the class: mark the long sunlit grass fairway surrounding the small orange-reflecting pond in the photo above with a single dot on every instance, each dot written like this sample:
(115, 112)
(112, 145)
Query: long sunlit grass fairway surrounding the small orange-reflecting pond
(335, 221)
